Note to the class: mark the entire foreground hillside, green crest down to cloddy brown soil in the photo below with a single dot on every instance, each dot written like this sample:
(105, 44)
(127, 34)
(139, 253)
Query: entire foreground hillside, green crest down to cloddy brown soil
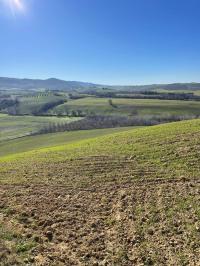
(127, 198)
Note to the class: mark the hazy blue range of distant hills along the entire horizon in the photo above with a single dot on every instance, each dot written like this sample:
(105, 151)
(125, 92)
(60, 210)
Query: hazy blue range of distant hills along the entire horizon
(57, 84)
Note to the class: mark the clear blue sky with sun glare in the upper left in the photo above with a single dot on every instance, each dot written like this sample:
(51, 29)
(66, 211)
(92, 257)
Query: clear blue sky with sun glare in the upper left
(102, 41)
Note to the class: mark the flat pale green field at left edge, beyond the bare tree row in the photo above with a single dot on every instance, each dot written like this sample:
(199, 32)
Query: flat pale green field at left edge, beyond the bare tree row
(18, 126)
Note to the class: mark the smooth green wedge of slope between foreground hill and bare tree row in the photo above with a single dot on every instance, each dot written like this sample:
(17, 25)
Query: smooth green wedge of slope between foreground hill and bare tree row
(54, 139)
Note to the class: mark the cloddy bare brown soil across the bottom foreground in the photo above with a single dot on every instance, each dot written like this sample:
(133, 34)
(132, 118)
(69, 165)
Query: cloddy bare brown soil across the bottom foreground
(155, 222)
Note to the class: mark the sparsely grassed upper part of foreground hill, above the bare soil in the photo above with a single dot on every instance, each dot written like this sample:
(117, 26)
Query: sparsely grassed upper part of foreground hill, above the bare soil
(164, 151)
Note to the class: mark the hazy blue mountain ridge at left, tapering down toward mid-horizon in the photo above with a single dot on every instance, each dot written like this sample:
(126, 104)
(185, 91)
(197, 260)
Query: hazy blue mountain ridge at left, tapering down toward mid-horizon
(51, 84)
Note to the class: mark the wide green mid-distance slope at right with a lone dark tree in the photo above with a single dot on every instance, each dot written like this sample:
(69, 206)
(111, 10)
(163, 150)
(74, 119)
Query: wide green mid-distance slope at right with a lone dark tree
(126, 106)
